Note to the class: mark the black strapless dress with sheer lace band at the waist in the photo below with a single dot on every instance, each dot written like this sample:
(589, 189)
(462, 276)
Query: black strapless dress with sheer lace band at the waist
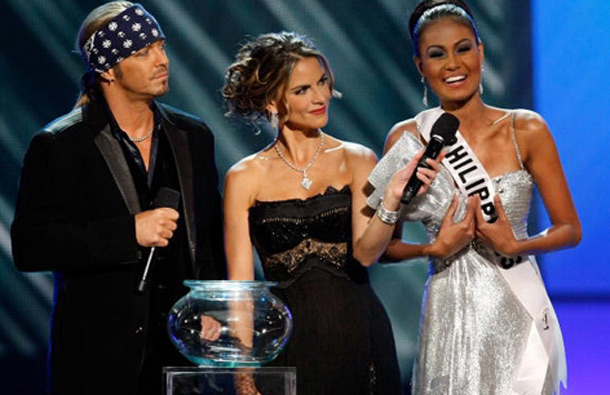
(342, 340)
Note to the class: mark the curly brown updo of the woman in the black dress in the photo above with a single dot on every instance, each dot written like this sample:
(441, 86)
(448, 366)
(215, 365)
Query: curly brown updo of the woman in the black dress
(261, 72)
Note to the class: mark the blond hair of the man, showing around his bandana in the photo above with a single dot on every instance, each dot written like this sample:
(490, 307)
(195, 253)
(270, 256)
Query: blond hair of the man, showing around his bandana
(93, 22)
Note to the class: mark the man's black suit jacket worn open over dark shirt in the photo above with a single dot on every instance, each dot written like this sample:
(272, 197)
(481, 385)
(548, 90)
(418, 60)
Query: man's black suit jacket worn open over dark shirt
(75, 217)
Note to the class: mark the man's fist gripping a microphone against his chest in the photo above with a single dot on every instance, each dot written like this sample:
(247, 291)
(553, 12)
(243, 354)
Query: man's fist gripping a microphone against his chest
(154, 228)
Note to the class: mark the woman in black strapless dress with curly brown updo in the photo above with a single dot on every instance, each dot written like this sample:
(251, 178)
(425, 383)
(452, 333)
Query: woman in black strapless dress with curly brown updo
(301, 201)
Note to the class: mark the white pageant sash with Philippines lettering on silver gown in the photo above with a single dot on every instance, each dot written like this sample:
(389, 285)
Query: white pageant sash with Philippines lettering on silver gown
(544, 346)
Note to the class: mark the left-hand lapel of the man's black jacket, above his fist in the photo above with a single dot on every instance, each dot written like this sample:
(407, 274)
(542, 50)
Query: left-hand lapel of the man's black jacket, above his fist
(115, 159)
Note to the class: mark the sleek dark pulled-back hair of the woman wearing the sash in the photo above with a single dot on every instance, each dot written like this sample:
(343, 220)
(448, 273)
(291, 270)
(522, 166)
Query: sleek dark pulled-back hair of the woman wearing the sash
(432, 10)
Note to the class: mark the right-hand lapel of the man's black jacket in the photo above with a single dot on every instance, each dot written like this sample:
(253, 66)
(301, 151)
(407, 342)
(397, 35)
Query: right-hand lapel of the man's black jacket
(178, 140)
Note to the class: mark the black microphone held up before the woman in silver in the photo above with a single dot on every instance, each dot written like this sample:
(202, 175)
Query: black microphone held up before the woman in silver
(443, 133)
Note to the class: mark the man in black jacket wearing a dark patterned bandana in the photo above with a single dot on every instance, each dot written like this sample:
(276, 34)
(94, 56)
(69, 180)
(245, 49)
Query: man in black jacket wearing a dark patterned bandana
(90, 210)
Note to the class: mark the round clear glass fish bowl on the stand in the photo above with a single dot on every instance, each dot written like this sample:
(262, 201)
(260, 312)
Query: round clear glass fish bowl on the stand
(229, 323)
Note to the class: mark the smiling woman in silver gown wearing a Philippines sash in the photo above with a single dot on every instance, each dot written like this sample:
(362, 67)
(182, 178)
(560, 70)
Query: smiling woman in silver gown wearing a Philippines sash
(487, 325)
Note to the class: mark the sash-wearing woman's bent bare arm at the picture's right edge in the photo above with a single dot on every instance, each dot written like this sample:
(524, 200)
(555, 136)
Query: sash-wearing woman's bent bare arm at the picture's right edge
(542, 161)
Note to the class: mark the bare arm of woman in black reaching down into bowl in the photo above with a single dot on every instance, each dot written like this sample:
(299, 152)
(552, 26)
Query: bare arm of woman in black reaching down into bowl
(239, 195)
